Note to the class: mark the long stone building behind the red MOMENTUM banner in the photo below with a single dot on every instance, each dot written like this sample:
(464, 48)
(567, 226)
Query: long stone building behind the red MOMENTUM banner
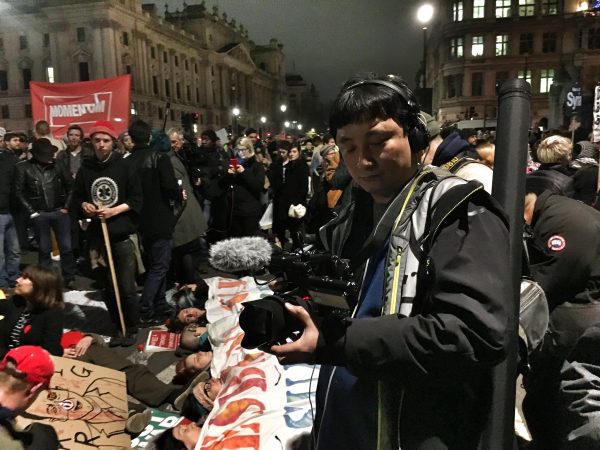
(197, 60)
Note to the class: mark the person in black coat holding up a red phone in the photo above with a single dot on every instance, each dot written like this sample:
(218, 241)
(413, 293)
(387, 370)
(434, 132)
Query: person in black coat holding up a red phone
(246, 177)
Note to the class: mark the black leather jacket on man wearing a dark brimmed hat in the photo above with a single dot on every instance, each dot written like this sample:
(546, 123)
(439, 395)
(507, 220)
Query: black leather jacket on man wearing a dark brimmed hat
(42, 187)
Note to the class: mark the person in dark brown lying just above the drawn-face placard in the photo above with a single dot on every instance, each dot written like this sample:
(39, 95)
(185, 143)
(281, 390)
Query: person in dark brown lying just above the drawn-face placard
(142, 384)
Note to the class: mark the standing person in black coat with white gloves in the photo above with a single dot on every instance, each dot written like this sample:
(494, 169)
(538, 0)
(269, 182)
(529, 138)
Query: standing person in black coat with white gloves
(289, 182)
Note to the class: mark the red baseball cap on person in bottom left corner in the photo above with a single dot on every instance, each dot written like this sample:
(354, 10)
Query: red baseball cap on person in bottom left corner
(33, 363)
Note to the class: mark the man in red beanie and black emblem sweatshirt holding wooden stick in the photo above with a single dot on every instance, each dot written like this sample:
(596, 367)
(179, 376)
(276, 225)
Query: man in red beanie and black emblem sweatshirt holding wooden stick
(108, 190)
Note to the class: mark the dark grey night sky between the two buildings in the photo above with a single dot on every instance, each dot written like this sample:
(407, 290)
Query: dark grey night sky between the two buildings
(327, 41)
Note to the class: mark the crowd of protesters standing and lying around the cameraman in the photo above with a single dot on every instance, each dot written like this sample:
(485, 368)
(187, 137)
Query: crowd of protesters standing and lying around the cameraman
(166, 197)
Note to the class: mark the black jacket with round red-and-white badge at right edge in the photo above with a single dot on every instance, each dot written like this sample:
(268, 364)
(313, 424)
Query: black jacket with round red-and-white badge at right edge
(564, 251)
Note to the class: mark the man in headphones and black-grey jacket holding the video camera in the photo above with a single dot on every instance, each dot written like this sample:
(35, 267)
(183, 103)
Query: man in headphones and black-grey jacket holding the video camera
(412, 368)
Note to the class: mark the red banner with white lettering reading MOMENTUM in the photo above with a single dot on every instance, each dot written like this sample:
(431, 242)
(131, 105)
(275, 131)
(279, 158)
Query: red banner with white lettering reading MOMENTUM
(64, 104)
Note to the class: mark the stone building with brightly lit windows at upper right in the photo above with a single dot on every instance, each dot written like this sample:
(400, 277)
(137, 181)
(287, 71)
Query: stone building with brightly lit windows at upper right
(474, 45)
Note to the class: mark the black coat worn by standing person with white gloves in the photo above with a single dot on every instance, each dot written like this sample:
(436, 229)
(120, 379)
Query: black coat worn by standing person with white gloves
(290, 186)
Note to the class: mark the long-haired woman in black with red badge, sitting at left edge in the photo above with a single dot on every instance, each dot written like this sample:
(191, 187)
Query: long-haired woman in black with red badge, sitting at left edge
(33, 315)
